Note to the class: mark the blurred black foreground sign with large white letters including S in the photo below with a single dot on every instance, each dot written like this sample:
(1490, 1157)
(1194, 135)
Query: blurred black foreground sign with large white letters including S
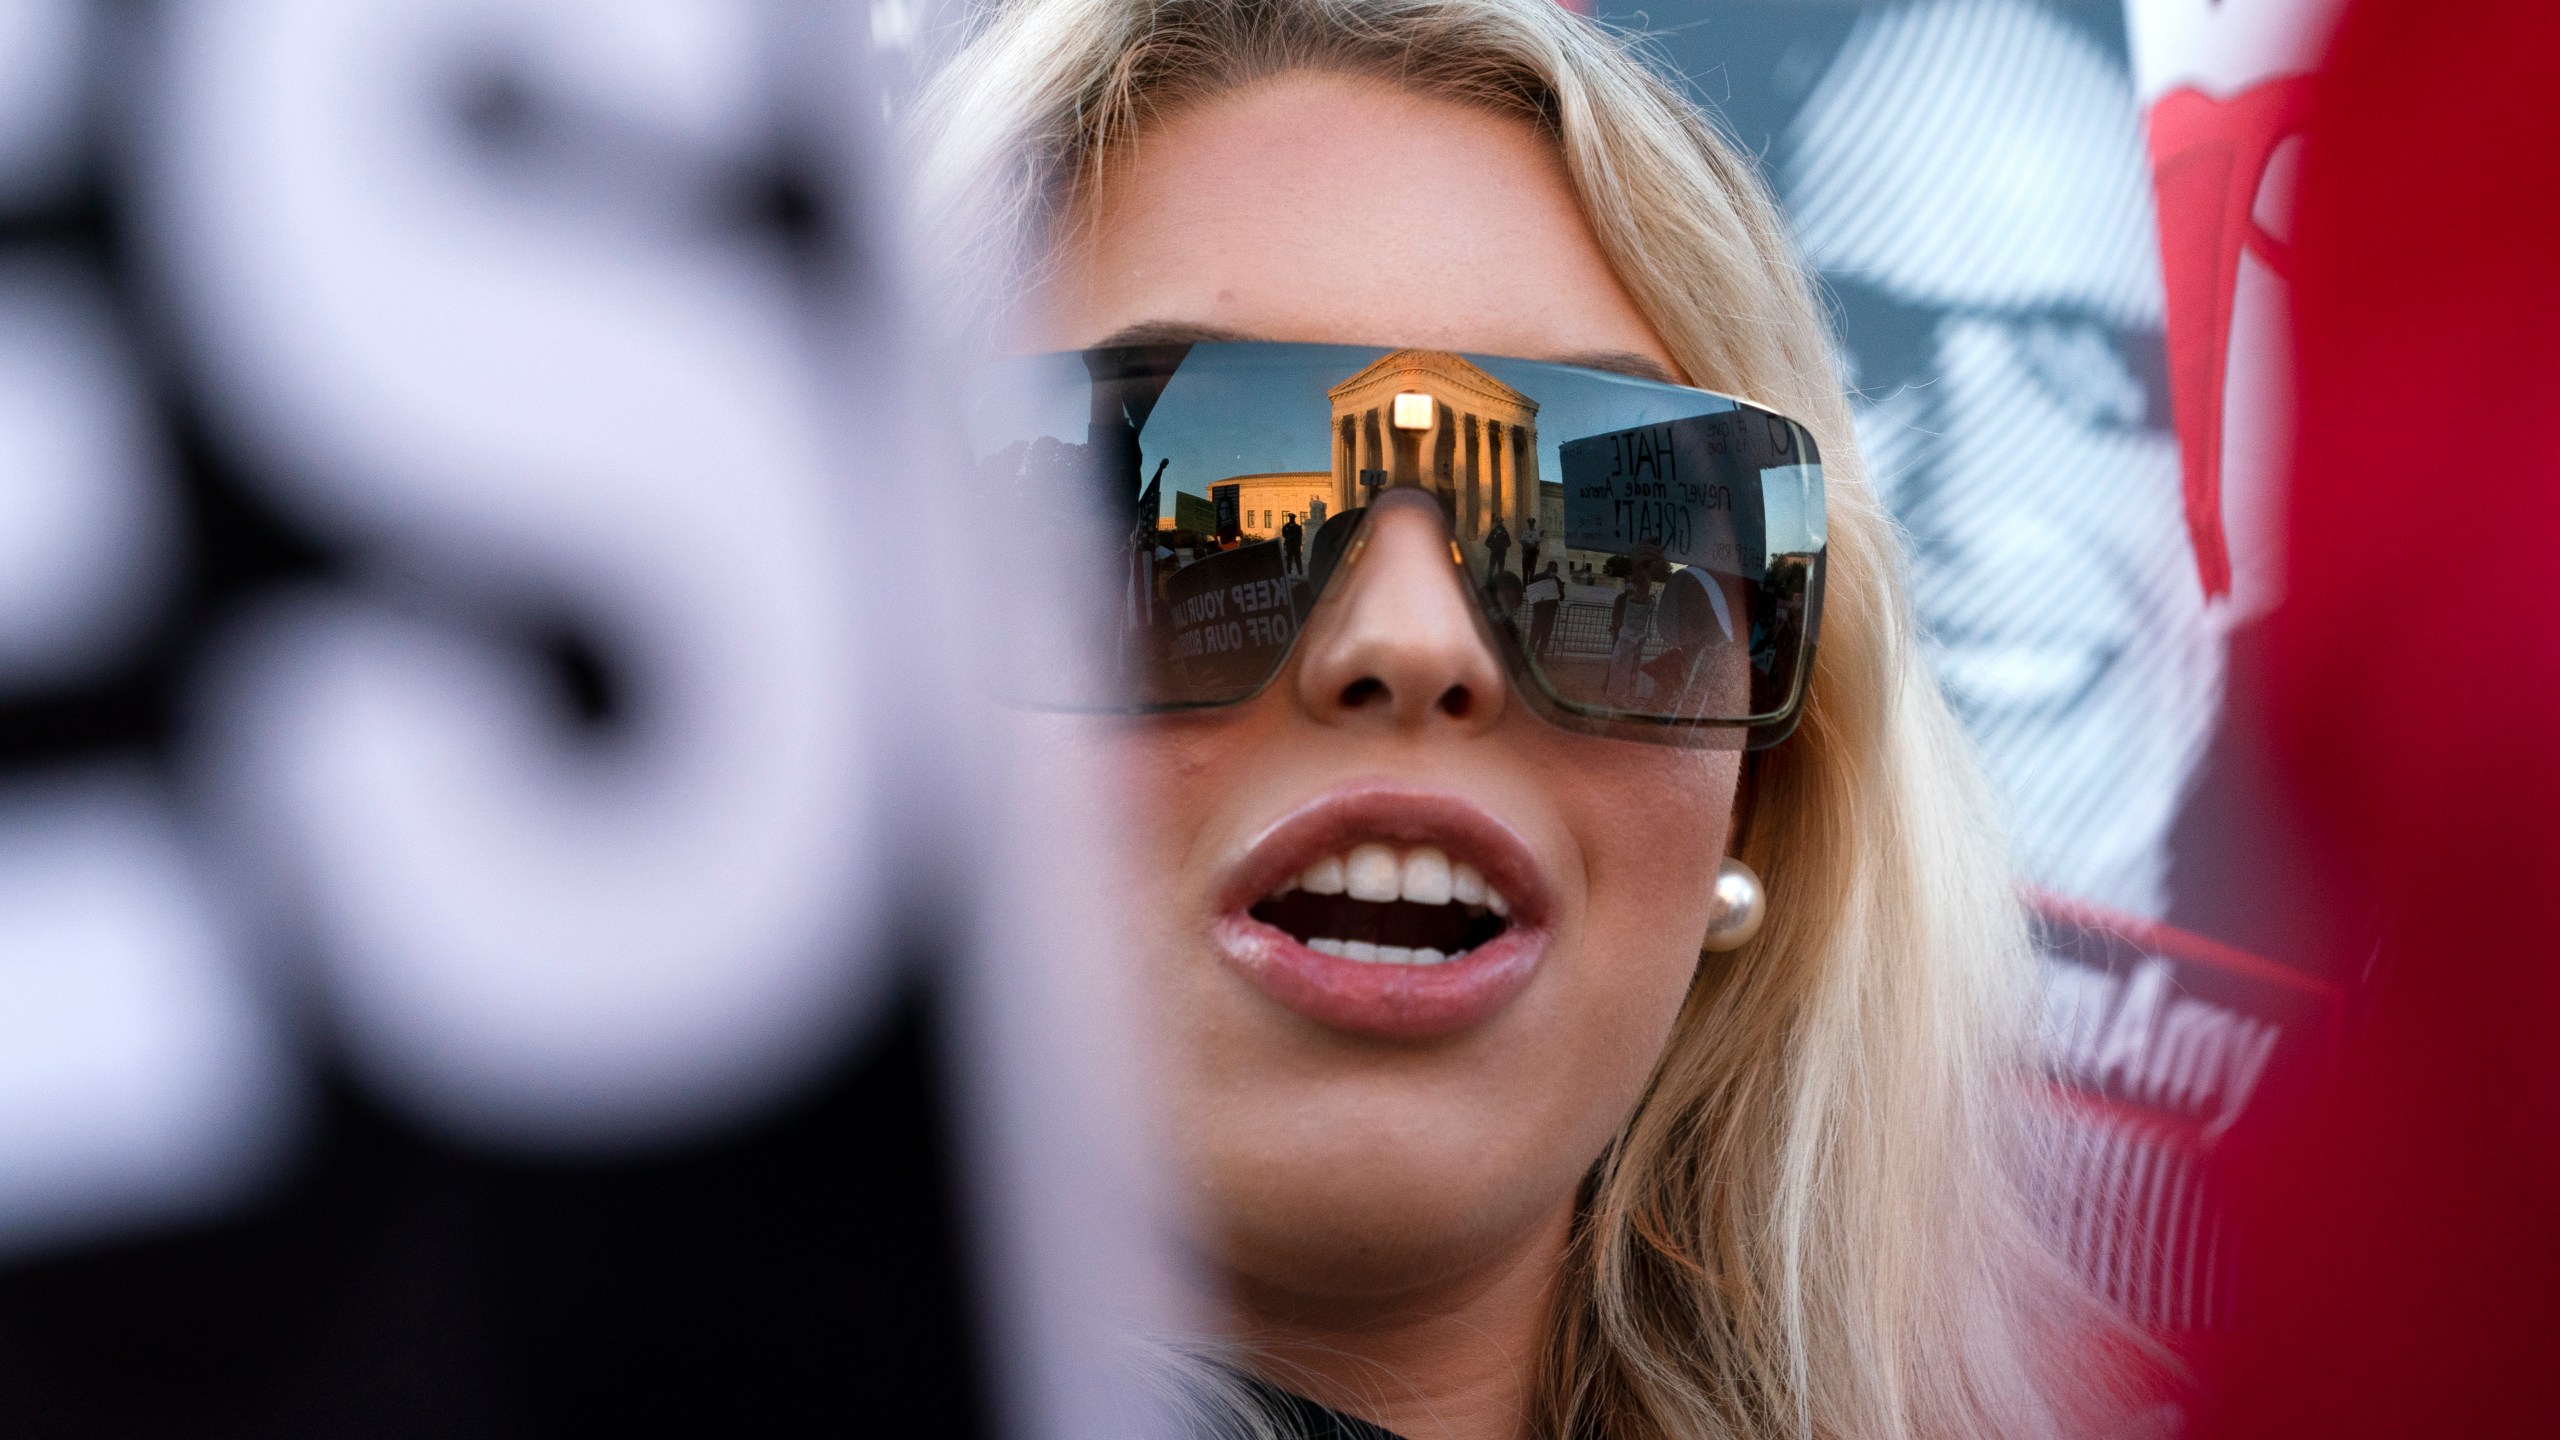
(447, 934)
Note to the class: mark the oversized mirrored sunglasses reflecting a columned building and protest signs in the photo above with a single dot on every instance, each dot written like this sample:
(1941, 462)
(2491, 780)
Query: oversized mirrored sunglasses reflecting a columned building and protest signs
(1645, 557)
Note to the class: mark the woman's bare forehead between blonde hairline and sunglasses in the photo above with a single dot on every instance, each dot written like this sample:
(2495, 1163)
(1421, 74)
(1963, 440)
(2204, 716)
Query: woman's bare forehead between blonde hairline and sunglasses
(1343, 209)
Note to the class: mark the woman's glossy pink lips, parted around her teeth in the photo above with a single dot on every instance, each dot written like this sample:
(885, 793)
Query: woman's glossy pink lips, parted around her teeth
(1373, 998)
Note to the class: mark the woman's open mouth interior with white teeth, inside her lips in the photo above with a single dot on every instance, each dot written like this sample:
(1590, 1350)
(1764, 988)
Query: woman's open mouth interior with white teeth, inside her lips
(1391, 908)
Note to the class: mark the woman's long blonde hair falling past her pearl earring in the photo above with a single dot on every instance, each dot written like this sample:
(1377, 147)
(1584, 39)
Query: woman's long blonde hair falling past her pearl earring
(1811, 1223)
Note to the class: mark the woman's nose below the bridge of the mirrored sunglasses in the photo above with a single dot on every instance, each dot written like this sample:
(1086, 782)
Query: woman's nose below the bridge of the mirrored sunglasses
(1396, 647)
